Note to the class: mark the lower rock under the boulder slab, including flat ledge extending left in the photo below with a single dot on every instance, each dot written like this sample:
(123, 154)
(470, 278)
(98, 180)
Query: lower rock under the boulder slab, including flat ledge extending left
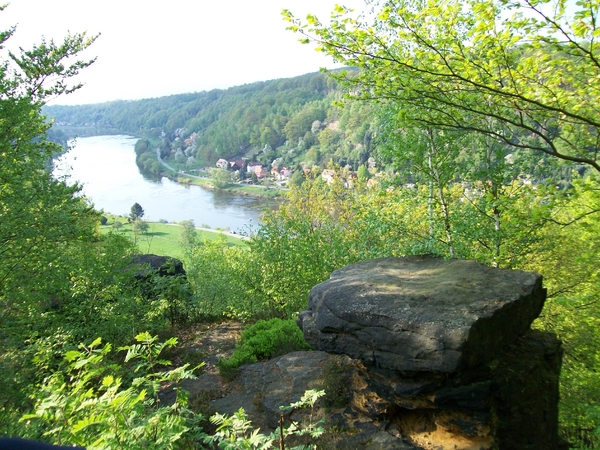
(510, 403)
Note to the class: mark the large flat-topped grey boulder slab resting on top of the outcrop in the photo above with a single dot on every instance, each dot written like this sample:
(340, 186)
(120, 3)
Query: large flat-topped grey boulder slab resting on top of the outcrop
(421, 314)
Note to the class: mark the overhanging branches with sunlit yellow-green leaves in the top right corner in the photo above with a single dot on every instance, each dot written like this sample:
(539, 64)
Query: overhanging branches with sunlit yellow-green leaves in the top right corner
(524, 72)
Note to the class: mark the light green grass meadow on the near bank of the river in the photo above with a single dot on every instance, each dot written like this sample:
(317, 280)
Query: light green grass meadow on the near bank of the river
(163, 238)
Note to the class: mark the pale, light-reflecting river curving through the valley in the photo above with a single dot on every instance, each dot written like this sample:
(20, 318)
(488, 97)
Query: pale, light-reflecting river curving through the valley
(105, 166)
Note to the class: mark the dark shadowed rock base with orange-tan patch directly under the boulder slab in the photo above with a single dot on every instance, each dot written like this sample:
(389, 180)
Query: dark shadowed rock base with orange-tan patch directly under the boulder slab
(510, 402)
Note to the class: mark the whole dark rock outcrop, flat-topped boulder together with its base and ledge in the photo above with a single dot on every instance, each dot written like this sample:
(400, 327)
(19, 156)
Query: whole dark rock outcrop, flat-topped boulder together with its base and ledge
(427, 354)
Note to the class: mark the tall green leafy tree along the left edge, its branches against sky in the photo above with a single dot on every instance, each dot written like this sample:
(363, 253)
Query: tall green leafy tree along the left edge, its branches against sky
(41, 216)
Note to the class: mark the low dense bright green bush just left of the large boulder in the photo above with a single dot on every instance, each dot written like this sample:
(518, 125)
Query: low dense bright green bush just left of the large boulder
(263, 340)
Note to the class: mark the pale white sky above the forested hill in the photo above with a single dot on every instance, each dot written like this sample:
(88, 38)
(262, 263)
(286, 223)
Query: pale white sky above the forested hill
(151, 48)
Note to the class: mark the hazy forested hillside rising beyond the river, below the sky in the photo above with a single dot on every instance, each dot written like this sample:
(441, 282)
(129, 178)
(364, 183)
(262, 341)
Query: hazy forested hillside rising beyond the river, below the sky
(289, 118)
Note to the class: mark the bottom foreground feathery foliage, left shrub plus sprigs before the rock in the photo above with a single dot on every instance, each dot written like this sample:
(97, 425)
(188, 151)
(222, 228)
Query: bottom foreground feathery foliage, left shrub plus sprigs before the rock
(93, 402)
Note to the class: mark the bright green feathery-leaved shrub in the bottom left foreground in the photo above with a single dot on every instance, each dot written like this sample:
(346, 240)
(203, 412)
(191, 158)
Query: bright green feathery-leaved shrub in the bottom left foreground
(89, 403)
